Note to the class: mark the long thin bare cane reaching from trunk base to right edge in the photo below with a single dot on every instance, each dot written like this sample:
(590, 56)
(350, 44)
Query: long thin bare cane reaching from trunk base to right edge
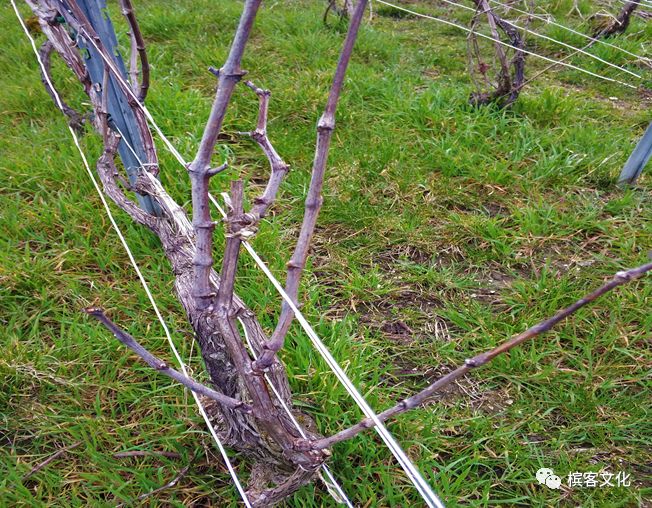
(477, 361)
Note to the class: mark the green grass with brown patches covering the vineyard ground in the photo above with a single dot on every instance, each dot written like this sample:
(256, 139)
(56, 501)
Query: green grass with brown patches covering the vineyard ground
(445, 229)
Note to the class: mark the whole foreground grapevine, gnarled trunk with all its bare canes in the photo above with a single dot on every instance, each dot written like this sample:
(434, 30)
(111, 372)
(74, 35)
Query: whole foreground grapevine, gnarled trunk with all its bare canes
(244, 412)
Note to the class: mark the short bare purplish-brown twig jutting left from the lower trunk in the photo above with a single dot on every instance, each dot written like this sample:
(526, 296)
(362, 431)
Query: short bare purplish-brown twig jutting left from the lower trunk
(163, 367)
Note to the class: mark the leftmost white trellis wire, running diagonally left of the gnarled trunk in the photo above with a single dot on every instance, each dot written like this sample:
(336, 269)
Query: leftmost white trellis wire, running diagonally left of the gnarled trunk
(133, 262)
